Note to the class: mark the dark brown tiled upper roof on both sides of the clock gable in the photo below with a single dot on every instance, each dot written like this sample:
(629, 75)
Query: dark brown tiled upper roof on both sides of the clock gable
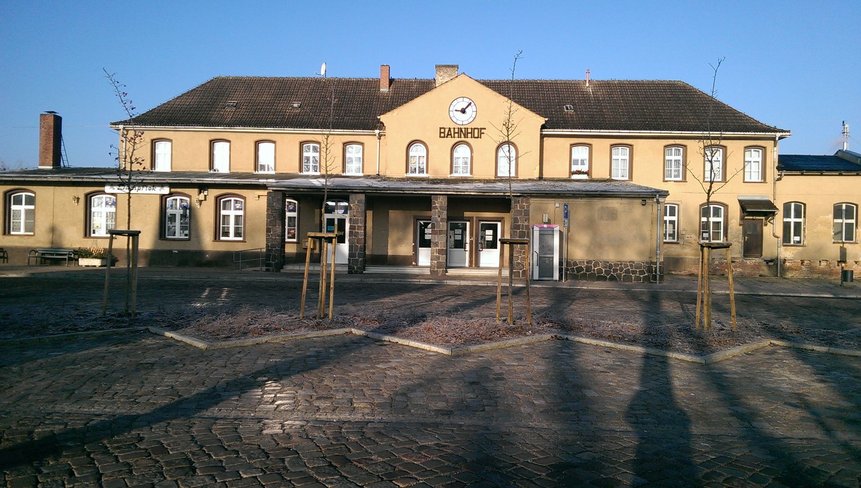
(259, 102)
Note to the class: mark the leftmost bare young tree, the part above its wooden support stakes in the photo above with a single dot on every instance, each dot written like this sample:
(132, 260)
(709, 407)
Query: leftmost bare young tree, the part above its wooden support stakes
(130, 164)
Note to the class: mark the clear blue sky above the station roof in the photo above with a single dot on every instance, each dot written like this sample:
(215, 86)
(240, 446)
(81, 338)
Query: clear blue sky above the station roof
(792, 64)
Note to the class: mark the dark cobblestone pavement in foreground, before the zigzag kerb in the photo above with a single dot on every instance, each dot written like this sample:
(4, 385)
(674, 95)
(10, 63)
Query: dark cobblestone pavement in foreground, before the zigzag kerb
(132, 409)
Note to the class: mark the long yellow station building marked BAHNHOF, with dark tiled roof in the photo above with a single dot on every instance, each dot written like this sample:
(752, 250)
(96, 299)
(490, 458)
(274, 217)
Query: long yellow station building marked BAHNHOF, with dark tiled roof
(604, 178)
